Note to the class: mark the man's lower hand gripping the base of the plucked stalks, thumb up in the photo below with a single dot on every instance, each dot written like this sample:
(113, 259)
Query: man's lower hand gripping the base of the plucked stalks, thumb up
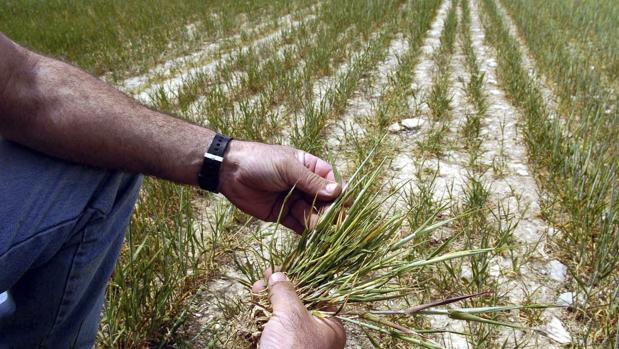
(291, 326)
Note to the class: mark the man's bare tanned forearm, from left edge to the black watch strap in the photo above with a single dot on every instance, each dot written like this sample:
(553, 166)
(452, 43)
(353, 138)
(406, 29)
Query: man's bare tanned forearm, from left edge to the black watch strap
(62, 111)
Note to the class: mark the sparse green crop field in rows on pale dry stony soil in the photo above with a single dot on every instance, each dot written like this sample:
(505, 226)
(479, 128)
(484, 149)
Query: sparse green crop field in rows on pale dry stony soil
(322, 76)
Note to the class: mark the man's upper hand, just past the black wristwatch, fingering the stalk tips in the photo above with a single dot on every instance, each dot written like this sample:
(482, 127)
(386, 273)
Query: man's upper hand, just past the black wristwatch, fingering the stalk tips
(257, 178)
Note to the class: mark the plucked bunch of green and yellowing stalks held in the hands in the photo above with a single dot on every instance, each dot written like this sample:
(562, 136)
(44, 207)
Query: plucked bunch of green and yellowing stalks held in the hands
(353, 258)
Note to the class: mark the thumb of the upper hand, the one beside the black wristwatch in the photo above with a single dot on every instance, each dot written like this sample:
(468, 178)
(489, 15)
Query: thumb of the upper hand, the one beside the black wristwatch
(313, 184)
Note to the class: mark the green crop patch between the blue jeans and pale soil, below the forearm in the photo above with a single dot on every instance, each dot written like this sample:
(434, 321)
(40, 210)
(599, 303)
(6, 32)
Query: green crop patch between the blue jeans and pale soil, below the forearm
(145, 301)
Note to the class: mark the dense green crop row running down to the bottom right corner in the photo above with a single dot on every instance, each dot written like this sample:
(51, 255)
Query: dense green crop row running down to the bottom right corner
(582, 188)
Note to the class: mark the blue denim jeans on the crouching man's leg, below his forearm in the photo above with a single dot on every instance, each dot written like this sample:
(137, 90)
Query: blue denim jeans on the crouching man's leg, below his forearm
(61, 228)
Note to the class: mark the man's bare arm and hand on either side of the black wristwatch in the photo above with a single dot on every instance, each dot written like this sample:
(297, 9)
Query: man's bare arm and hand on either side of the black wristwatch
(57, 109)
